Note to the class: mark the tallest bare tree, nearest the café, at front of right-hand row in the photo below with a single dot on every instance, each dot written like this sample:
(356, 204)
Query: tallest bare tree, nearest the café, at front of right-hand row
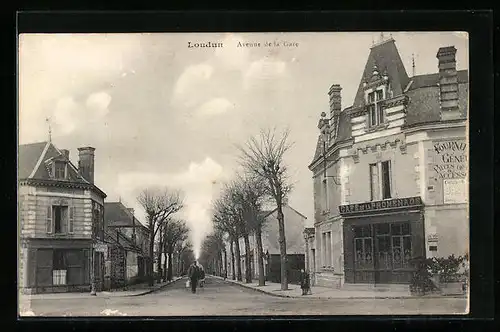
(263, 156)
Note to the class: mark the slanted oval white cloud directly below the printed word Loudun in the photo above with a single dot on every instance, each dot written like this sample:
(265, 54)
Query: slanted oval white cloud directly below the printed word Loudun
(190, 83)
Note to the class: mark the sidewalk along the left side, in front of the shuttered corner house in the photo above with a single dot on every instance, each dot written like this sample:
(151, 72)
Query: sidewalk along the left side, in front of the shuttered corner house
(137, 290)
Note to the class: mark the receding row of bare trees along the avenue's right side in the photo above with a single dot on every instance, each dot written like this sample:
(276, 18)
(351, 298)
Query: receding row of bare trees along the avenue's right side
(238, 211)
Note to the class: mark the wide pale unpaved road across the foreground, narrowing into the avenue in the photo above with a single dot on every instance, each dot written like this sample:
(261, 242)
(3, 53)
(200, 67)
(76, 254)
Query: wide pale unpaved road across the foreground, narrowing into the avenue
(222, 298)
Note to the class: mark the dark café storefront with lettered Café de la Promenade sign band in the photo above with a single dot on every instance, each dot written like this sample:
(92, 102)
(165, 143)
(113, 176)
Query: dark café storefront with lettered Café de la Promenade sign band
(381, 238)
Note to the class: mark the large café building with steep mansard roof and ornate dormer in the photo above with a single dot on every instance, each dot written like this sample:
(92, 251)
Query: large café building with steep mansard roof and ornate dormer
(390, 172)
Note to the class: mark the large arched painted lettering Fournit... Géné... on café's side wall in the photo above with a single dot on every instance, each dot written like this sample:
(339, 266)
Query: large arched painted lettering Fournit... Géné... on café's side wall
(450, 160)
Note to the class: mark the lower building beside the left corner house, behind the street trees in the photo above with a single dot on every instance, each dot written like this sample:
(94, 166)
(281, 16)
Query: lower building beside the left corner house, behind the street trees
(128, 239)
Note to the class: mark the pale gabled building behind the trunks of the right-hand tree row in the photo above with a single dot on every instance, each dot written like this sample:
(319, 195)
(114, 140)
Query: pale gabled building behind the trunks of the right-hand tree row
(294, 225)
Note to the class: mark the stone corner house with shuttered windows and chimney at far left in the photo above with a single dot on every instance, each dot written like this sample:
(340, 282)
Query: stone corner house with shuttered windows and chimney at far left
(61, 220)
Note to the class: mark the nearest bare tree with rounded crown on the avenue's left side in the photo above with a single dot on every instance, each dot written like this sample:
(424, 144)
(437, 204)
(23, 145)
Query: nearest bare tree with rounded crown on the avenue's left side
(159, 205)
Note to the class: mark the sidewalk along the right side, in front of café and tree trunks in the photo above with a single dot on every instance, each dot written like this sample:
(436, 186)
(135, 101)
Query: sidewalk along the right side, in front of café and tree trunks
(319, 292)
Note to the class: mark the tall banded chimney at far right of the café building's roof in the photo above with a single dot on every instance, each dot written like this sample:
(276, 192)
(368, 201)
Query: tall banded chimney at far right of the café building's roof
(448, 83)
